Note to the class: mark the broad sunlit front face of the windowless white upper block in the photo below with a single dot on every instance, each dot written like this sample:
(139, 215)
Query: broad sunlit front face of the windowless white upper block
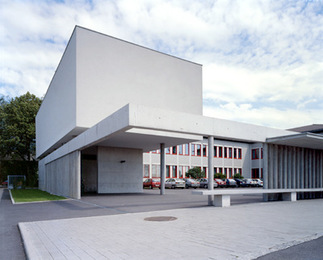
(112, 73)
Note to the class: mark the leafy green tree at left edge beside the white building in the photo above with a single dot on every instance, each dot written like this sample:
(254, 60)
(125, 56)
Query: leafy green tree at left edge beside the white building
(17, 127)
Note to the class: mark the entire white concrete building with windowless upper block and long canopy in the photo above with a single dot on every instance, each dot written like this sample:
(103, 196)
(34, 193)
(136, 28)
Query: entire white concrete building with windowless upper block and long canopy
(111, 101)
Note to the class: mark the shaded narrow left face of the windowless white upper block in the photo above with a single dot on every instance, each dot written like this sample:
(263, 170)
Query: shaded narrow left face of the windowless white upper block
(57, 114)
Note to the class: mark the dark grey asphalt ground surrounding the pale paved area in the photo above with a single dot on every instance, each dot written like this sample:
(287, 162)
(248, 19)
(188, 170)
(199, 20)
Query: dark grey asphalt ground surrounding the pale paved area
(96, 205)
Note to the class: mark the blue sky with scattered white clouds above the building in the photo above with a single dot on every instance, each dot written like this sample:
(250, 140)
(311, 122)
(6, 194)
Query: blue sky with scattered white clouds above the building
(262, 59)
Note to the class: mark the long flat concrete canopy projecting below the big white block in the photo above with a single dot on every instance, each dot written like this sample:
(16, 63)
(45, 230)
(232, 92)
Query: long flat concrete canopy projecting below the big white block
(141, 127)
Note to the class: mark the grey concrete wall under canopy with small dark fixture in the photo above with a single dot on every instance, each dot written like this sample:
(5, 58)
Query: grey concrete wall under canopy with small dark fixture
(117, 177)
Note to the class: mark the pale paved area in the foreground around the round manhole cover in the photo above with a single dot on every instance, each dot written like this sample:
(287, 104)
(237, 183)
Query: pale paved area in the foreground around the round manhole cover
(238, 232)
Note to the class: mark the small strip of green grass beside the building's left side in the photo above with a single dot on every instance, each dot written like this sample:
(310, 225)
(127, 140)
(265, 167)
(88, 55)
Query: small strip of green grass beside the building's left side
(31, 195)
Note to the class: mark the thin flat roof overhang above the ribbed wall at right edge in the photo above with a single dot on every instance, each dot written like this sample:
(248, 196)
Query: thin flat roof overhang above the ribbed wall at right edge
(304, 140)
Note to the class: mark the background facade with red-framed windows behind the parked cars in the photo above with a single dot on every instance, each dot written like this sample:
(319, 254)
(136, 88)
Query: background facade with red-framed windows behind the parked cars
(230, 158)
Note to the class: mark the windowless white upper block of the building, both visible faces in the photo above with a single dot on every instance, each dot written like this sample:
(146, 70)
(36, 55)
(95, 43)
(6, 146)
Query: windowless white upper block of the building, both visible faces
(99, 74)
